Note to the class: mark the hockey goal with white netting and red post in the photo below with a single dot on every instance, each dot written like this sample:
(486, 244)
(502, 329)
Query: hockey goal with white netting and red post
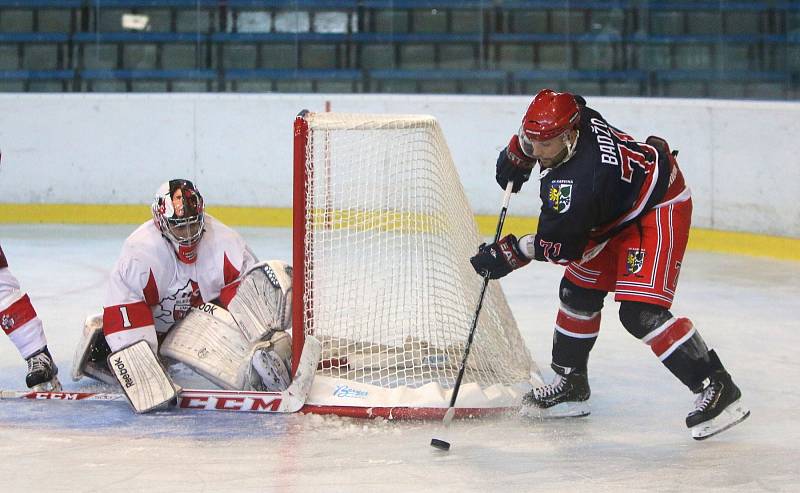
(383, 234)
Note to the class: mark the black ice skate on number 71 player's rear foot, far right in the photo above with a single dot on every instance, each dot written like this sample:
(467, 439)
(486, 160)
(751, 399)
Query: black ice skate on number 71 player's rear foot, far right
(718, 406)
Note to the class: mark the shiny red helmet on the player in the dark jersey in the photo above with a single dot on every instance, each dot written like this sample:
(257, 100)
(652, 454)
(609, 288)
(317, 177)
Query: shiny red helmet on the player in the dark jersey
(550, 115)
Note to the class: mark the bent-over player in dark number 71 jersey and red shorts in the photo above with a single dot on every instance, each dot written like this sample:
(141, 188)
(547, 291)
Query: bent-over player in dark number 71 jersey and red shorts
(616, 213)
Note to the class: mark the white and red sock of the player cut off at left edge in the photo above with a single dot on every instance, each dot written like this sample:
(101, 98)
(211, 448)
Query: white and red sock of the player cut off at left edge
(18, 318)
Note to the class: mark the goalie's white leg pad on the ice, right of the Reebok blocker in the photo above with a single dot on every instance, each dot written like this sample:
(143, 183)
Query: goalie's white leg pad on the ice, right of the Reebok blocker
(210, 343)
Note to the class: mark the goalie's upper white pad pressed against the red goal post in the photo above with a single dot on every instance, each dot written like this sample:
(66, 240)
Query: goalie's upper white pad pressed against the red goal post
(263, 301)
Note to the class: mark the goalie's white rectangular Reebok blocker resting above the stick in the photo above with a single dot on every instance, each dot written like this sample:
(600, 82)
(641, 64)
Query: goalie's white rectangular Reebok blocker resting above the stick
(143, 379)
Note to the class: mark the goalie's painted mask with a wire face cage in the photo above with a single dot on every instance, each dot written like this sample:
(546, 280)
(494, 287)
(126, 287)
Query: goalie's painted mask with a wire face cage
(178, 214)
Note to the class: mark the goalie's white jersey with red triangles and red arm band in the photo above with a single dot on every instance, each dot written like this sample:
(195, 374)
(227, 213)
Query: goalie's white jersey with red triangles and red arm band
(150, 288)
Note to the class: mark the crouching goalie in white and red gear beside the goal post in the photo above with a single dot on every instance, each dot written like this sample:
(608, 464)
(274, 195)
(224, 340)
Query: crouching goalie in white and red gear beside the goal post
(187, 288)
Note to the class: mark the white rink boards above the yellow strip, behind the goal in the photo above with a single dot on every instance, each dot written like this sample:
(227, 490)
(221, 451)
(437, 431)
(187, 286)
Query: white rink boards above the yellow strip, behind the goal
(738, 157)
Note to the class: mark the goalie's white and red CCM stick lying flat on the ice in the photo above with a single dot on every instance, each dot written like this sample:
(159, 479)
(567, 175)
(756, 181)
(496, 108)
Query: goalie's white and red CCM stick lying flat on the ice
(289, 401)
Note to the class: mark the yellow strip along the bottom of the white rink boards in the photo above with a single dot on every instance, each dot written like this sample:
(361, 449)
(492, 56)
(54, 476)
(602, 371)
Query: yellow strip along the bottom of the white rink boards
(700, 239)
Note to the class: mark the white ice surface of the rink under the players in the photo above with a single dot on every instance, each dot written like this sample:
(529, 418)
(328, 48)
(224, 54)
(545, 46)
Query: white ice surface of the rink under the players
(634, 440)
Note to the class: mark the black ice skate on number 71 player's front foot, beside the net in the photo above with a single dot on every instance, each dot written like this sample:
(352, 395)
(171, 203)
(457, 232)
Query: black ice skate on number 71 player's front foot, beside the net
(567, 396)
